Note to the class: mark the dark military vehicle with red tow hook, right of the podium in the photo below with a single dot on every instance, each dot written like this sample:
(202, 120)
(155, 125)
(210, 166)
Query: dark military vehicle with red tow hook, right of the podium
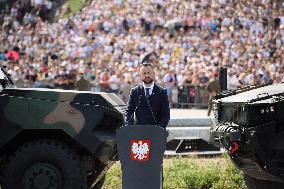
(250, 125)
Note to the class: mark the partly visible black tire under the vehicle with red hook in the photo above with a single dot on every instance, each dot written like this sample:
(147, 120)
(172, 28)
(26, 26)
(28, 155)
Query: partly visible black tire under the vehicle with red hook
(253, 183)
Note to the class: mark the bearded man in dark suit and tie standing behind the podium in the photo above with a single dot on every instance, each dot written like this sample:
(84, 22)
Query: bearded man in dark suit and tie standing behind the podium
(148, 103)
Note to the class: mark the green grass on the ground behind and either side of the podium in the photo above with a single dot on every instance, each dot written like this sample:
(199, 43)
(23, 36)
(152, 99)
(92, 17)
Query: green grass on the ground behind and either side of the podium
(190, 173)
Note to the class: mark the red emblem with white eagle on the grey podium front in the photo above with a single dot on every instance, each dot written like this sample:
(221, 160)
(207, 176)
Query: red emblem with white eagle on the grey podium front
(140, 150)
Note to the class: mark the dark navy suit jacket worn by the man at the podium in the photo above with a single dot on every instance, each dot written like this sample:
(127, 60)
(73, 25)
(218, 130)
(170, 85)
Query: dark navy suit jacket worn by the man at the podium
(158, 100)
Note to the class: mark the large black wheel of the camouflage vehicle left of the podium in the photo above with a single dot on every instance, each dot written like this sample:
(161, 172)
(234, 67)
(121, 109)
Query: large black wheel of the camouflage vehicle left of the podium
(44, 164)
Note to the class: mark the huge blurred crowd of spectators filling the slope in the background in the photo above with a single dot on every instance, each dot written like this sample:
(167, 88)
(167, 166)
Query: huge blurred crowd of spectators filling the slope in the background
(105, 42)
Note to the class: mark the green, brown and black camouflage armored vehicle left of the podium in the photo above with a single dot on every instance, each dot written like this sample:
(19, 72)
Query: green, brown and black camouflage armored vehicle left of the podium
(56, 139)
